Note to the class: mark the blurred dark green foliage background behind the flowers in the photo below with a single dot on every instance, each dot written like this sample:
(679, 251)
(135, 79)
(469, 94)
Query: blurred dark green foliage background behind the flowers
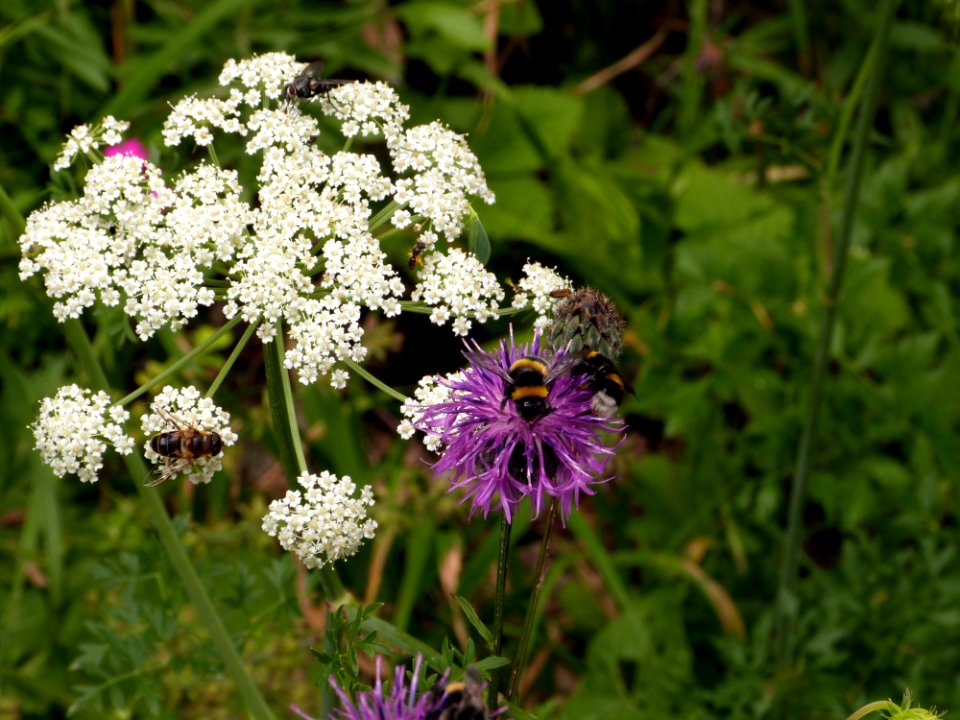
(676, 156)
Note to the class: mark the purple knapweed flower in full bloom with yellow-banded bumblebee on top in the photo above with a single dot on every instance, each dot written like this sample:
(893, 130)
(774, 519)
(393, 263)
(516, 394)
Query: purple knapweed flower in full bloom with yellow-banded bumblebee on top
(497, 455)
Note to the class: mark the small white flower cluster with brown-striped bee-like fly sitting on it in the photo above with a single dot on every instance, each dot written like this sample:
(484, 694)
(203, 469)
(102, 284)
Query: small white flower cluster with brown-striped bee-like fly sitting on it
(182, 410)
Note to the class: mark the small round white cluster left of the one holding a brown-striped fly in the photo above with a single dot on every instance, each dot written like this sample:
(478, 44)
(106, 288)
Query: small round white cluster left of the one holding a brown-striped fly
(75, 427)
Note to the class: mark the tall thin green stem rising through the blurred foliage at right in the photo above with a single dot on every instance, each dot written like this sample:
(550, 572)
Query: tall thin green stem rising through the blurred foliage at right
(786, 611)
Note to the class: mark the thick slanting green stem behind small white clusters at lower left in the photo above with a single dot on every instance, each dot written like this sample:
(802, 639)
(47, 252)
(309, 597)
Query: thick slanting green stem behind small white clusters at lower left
(207, 614)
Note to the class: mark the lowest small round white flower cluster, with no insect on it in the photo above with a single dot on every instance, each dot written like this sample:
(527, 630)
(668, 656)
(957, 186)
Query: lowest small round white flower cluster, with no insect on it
(324, 522)
